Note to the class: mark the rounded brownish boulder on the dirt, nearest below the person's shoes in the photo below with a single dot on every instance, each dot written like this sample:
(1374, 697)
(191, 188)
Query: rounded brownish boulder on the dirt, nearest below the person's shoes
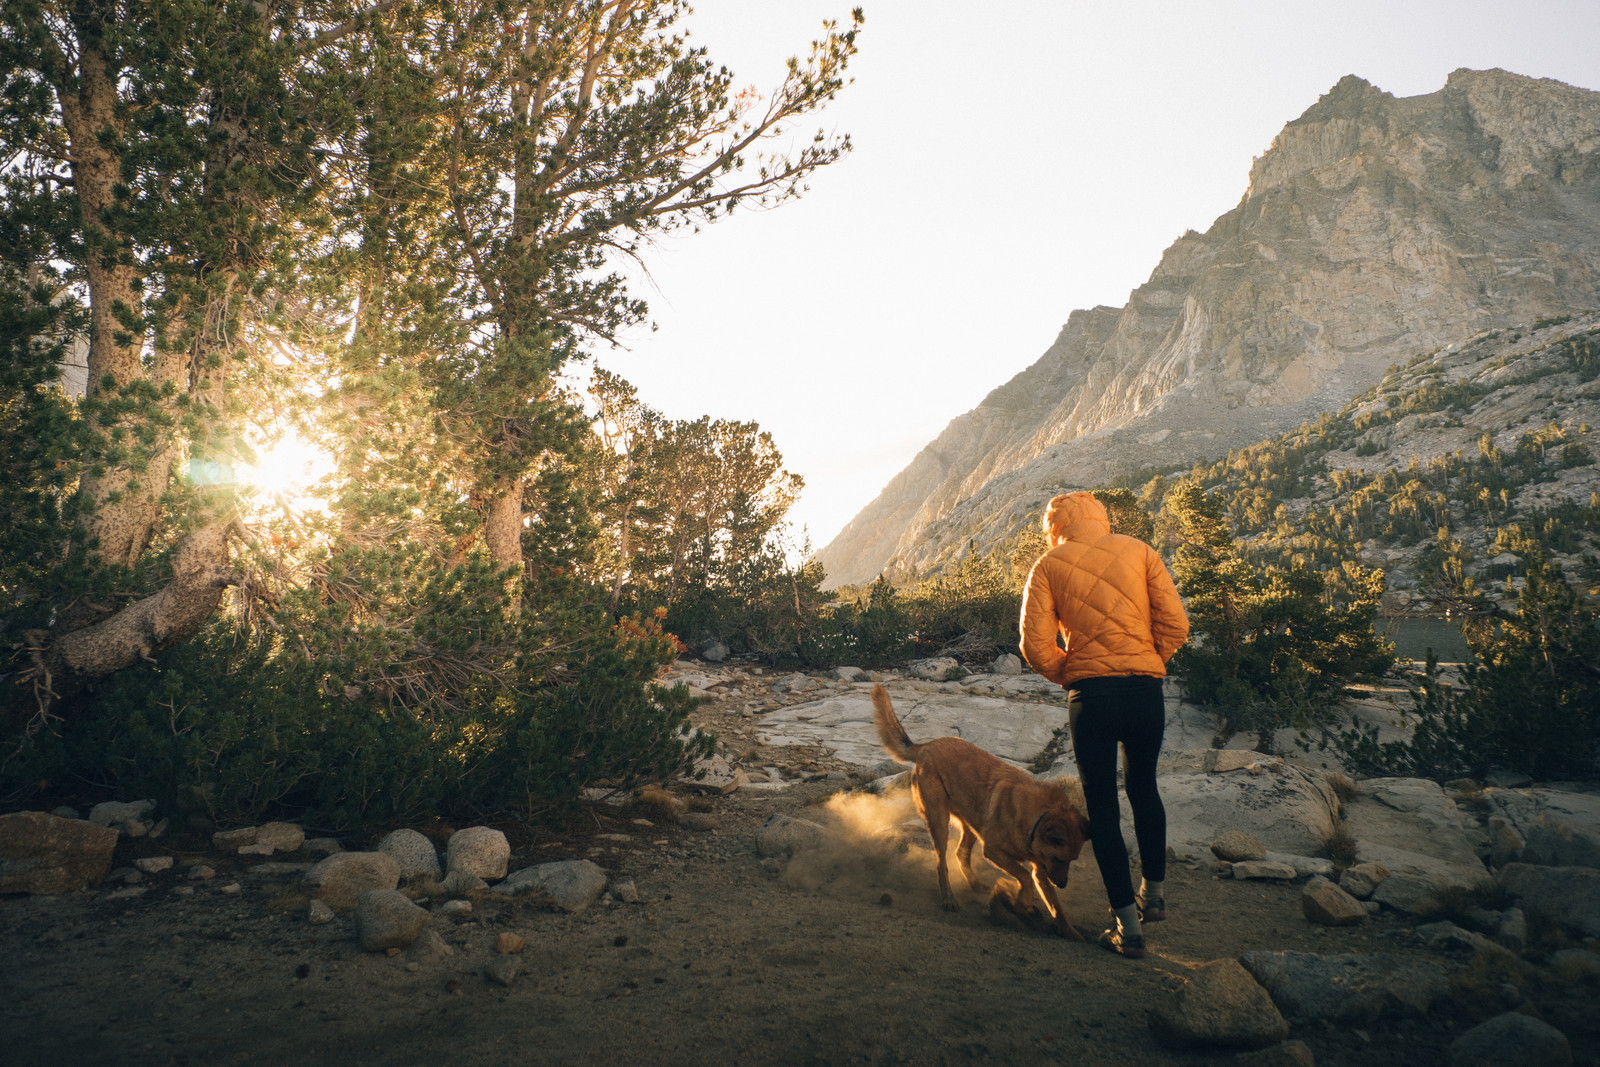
(1220, 1005)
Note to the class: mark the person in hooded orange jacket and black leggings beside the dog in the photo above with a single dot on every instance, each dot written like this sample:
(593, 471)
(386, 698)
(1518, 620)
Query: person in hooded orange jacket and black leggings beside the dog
(1118, 615)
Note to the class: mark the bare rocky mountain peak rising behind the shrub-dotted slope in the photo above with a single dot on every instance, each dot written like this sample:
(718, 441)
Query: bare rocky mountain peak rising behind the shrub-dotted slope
(1374, 230)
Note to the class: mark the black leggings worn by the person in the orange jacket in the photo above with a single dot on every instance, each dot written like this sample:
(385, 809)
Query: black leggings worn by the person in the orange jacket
(1129, 711)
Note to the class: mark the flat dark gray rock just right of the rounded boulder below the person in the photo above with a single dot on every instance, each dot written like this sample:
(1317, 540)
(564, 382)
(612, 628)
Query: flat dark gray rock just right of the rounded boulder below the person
(1353, 988)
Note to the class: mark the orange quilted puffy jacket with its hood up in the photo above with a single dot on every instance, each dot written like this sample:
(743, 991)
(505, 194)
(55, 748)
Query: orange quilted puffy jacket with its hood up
(1110, 596)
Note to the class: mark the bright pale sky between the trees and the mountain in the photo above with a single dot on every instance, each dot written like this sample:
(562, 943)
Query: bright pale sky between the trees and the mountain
(1014, 162)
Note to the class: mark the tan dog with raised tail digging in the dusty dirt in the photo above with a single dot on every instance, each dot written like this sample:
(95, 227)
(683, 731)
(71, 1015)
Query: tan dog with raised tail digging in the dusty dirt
(1030, 829)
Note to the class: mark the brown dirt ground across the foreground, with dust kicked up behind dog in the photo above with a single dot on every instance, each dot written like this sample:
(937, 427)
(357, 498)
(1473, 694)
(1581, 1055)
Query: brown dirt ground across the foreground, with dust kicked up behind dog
(729, 959)
